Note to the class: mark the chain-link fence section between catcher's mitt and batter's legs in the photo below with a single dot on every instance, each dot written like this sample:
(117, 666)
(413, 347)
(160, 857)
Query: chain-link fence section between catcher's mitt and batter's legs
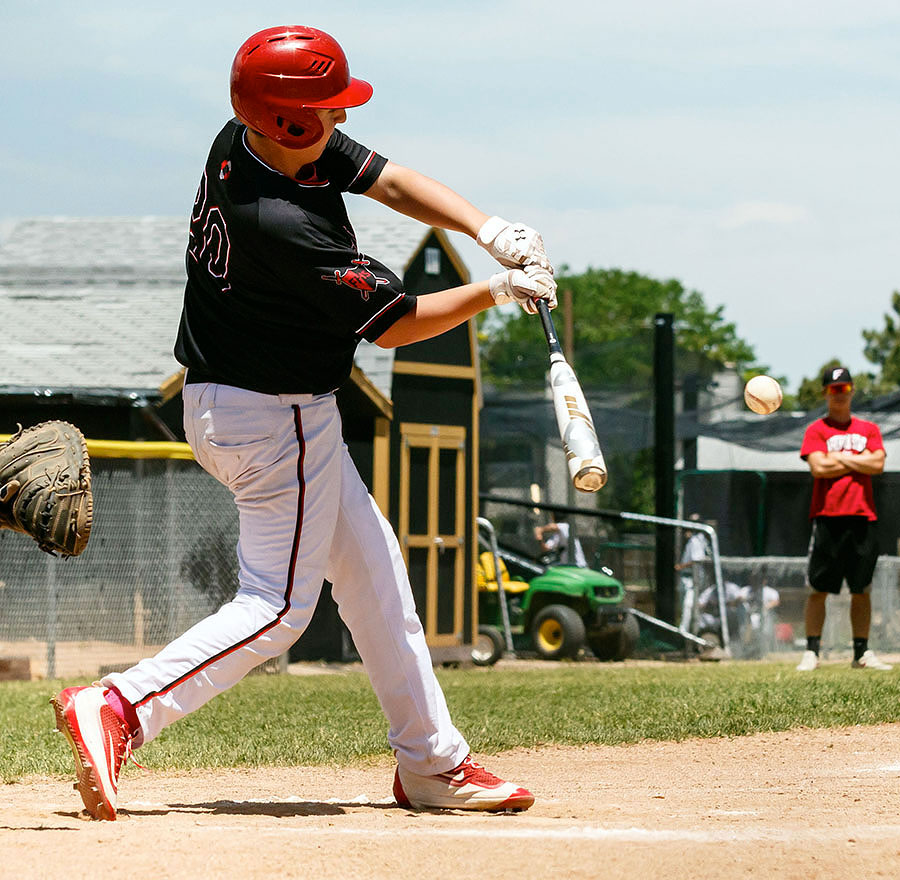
(161, 557)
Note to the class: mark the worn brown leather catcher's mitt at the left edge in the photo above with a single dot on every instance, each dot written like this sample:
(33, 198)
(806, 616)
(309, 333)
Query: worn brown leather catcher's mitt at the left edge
(45, 486)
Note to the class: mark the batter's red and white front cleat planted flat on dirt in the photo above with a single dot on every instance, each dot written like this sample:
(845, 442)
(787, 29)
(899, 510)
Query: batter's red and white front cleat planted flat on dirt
(466, 787)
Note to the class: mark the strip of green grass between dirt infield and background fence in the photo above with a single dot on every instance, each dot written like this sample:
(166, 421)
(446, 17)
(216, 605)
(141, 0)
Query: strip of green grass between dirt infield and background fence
(335, 719)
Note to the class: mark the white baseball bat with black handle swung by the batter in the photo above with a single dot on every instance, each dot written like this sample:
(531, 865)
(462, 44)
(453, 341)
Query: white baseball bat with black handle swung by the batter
(573, 418)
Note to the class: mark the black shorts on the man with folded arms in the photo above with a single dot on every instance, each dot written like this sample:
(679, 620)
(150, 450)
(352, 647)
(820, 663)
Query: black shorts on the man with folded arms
(842, 547)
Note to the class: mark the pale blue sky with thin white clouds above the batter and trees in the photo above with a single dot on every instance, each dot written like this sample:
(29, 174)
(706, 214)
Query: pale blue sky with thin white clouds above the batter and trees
(746, 148)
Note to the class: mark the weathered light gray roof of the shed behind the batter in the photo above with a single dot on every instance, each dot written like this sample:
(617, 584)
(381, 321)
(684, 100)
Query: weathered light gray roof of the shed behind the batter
(95, 302)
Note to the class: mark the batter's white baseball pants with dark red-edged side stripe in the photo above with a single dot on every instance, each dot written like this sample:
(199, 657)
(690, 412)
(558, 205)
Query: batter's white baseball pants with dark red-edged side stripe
(305, 515)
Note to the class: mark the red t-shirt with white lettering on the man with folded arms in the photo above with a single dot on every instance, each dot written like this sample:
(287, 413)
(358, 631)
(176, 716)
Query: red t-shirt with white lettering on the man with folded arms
(850, 494)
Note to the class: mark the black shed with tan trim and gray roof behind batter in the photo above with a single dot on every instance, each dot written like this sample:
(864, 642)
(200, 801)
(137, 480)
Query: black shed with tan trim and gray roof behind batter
(95, 303)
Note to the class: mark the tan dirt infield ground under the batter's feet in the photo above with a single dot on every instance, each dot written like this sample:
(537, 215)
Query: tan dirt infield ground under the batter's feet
(807, 804)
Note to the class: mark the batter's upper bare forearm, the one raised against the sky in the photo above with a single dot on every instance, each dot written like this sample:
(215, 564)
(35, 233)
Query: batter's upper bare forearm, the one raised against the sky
(426, 200)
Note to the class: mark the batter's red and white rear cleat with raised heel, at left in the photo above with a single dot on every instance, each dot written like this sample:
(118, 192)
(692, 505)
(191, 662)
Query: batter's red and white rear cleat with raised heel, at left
(99, 743)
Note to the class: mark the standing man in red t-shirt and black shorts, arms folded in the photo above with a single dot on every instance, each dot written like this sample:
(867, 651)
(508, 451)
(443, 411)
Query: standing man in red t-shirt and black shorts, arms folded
(842, 452)
